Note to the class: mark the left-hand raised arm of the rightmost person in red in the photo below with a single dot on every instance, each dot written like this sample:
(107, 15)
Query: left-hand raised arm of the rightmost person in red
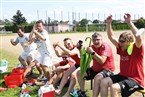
(110, 34)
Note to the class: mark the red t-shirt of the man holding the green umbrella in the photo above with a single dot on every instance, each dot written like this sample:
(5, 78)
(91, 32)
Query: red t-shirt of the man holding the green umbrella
(104, 50)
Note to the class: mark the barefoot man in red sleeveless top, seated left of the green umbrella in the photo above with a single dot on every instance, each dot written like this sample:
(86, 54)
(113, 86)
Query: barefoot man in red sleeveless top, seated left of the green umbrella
(72, 51)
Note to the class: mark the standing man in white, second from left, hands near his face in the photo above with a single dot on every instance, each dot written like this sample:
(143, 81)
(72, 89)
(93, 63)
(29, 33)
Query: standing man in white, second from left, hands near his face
(43, 47)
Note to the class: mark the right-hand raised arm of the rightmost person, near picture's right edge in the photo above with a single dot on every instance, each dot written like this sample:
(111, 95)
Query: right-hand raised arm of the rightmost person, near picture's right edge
(138, 39)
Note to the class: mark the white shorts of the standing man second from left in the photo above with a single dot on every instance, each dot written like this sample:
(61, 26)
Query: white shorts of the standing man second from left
(45, 59)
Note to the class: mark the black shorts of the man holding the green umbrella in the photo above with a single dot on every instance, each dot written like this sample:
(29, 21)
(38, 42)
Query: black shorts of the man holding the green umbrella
(91, 73)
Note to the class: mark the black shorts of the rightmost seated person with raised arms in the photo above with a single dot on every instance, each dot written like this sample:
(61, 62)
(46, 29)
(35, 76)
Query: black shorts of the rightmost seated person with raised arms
(128, 85)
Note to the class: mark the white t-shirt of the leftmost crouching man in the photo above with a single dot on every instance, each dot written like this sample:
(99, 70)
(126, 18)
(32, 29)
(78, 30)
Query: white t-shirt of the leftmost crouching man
(23, 40)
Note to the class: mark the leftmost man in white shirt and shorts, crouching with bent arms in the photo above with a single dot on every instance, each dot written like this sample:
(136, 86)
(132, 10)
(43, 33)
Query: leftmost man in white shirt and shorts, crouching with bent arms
(29, 53)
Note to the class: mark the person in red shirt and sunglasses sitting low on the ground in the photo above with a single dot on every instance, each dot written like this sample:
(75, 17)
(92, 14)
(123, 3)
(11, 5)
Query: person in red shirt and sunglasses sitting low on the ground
(60, 67)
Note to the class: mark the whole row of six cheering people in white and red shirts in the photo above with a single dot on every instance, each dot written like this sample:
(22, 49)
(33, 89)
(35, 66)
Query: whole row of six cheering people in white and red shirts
(129, 47)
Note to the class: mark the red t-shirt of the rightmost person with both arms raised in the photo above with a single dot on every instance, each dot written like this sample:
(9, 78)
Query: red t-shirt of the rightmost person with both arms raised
(132, 65)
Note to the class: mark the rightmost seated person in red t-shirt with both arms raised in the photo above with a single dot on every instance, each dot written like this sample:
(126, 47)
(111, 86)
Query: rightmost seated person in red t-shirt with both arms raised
(131, 50)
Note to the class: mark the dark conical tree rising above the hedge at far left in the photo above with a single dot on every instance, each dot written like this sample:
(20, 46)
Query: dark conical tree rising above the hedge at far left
(18, 19)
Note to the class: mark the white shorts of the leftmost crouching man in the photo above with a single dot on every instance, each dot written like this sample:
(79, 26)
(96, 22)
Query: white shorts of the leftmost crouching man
(34, 54)
